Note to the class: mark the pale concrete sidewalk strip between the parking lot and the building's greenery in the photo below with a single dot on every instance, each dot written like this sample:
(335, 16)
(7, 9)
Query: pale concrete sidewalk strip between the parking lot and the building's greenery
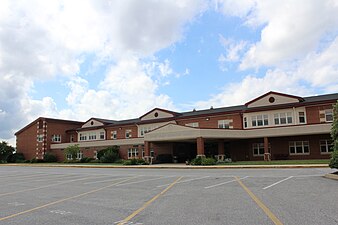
(169, 166)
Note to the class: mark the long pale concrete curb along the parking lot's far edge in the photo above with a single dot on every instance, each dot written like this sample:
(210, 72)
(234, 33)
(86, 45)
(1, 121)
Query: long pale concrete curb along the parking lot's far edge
(177, 167)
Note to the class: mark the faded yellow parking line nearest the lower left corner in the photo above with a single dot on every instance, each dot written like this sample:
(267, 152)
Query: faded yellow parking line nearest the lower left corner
(62, 200)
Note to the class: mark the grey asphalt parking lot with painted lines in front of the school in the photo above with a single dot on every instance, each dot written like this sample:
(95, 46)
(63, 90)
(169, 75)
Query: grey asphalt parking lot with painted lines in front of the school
(89, 196)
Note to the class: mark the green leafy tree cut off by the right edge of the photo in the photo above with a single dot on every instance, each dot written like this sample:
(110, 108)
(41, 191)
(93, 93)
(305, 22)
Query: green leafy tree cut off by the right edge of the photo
(334, 136)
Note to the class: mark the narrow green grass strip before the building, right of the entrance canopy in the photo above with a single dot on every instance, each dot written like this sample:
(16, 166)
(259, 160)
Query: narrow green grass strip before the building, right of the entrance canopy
(280, 162)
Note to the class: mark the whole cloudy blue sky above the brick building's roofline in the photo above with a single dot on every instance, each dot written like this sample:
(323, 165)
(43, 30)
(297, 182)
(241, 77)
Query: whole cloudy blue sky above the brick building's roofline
(118, 59)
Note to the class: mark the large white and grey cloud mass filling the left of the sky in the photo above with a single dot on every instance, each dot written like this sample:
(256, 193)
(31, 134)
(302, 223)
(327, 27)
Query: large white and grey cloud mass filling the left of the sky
(40, 40)
